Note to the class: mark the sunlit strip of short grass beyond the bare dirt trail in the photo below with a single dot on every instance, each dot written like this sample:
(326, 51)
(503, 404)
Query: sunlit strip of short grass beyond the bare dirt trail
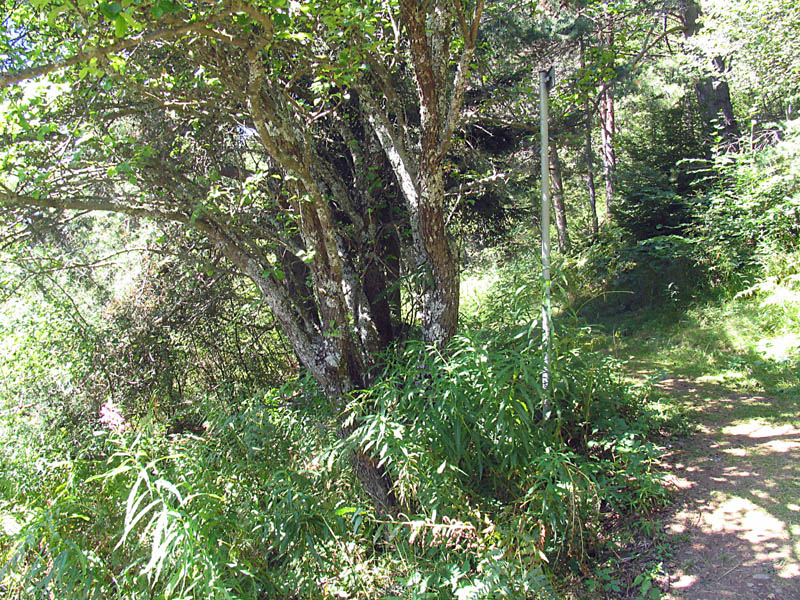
(749, 342)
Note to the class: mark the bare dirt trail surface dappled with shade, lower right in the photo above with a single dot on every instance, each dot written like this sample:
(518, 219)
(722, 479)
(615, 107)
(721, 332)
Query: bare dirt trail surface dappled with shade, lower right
(735, 525)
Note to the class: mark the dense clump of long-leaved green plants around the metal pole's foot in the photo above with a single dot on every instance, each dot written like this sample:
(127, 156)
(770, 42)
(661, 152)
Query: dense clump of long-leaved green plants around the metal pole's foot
(466, 428)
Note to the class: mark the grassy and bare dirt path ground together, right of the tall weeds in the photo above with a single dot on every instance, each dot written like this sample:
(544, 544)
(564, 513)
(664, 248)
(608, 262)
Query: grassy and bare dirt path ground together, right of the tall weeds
(732, 464)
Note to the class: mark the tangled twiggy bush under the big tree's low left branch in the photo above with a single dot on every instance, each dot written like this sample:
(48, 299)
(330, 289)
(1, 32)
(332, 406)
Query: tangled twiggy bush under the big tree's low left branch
(139, 326)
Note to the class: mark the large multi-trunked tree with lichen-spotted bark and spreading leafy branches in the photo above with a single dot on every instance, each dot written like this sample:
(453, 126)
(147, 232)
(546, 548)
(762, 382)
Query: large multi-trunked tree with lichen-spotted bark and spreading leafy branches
(289, 134)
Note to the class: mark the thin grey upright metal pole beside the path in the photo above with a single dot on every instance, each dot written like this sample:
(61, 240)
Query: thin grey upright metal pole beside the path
(545, 83)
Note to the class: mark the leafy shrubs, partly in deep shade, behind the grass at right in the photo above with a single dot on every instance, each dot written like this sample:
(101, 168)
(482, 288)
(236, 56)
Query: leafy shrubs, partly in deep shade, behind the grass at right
(740, 224)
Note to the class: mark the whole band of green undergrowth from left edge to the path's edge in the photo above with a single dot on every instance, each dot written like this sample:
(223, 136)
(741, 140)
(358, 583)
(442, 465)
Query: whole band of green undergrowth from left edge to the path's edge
(497, 498)
